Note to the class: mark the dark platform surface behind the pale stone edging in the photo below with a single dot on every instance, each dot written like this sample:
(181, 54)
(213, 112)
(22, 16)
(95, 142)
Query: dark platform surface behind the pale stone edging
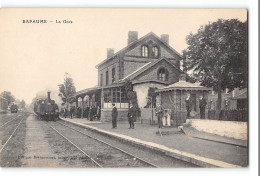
(209, 149)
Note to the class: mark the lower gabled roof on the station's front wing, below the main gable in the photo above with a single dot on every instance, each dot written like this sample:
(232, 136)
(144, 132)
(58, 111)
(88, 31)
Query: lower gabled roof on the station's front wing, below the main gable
(146, 67)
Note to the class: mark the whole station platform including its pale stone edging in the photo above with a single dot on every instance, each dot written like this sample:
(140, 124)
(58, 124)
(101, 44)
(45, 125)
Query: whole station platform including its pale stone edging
(209, 151)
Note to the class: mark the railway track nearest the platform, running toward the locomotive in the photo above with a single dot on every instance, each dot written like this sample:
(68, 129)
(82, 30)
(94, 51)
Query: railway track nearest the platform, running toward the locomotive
(101, 153)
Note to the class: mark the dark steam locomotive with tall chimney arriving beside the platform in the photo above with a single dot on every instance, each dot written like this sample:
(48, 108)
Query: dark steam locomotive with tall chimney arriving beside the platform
(46, 109)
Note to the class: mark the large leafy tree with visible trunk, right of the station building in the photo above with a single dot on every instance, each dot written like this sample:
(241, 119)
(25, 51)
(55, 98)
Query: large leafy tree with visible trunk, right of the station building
(217, 54)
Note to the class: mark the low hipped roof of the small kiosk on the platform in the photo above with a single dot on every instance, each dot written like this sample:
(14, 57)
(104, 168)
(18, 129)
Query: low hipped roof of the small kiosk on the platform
(183, 85)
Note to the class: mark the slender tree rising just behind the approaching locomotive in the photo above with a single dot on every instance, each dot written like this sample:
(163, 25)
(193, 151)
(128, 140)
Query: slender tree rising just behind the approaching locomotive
(67, 89)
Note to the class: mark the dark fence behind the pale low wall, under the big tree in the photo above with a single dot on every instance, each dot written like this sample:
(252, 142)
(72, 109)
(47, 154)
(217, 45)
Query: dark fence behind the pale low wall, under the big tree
(230, 115)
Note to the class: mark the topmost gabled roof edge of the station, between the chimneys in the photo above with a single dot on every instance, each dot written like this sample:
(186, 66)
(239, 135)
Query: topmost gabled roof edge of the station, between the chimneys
(134, 43)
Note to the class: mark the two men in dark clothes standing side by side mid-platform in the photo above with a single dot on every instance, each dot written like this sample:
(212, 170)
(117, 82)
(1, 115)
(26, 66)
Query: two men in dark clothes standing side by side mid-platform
(131, 116)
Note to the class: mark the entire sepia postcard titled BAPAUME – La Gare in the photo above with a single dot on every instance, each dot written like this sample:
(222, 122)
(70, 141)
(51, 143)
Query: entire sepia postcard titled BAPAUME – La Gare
(124, 88)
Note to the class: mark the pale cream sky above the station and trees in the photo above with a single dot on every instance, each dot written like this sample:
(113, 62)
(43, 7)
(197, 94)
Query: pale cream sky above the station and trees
(35, 57)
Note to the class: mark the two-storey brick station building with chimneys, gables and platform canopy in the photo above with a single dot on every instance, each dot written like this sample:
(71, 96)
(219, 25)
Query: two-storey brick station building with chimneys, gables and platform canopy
(146, 62)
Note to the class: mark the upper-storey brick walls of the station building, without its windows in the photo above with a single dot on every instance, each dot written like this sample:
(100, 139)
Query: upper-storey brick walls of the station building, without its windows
(131, 59)
